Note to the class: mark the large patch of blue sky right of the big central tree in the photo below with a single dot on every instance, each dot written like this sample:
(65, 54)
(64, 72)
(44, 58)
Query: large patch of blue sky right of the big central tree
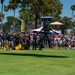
(66, 11)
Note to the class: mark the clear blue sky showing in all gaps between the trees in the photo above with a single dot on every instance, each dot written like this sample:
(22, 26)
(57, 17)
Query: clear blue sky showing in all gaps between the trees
(66, 11)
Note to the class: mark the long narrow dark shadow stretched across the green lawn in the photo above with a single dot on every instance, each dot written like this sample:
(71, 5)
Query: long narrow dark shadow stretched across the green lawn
(34, 55)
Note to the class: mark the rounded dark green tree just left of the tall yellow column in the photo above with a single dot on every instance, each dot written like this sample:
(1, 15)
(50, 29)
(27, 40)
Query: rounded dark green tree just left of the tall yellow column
(8, 26)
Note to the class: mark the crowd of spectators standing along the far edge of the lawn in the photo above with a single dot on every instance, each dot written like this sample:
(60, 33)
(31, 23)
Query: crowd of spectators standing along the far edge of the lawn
(27, 41)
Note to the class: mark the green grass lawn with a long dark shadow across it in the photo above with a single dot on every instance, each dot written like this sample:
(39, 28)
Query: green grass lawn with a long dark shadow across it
(36, 62)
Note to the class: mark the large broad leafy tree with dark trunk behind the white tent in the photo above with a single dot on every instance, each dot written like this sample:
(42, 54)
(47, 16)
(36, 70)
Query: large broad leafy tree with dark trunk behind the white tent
(45, 8)
